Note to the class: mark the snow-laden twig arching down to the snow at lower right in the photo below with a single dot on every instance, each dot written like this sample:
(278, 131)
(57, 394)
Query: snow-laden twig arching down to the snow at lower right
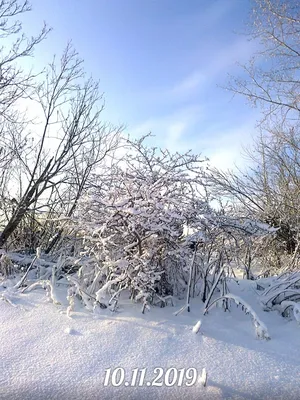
(260, 328)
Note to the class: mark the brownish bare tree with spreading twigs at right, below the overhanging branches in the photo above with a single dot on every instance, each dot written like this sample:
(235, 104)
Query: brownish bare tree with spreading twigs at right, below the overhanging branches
(268, 191)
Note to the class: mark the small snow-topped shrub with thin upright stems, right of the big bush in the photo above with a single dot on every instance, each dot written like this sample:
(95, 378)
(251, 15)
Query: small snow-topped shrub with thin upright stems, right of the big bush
(221, 241)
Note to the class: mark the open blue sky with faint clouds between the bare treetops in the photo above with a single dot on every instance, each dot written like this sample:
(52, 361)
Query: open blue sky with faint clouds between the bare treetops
(159, 63)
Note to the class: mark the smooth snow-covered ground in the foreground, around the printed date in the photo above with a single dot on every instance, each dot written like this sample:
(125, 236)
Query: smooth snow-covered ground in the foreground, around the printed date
(46, 355)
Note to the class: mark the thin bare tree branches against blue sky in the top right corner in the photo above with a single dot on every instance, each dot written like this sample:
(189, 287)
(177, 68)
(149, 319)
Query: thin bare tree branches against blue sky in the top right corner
(272, 75)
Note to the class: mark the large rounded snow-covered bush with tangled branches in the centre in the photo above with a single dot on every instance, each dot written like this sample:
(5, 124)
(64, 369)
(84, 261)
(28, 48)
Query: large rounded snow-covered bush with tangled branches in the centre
(132, 224)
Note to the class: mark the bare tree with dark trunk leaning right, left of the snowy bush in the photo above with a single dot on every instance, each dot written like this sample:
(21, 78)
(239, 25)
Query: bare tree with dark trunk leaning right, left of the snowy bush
(71, 137)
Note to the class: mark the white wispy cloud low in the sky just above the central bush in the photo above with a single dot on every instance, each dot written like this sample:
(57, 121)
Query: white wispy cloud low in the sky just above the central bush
(221, 143)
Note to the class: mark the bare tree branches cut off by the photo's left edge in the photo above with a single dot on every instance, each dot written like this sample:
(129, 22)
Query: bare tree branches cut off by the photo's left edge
(15, 84)
